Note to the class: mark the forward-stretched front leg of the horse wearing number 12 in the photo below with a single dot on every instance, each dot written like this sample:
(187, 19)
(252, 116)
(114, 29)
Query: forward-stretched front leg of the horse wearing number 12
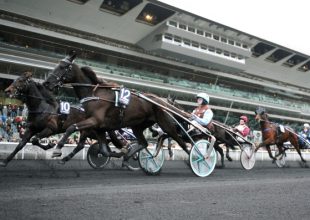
(86, 124)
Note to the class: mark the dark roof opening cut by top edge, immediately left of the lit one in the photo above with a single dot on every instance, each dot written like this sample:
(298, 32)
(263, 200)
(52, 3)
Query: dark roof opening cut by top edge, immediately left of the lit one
(118, 7)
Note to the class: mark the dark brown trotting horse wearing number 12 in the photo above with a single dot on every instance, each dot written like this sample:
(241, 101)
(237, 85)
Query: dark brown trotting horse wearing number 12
(98, 99)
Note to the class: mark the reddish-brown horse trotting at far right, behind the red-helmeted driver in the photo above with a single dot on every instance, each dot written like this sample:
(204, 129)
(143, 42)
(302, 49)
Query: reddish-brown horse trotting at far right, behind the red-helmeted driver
(273, 136)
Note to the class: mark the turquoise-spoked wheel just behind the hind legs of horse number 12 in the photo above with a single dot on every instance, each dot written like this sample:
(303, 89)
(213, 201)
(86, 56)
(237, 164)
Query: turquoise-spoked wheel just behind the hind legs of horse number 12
(151, 159)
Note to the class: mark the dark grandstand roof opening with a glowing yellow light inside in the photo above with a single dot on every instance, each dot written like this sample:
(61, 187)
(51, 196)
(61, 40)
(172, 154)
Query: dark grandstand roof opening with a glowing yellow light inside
(153, 14)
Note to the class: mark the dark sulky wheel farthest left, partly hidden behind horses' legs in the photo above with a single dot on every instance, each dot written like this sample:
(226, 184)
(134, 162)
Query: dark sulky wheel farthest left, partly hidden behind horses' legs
(95, 158)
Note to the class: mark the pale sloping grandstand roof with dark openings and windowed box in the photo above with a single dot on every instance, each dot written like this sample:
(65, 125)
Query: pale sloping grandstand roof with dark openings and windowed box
(136, 23)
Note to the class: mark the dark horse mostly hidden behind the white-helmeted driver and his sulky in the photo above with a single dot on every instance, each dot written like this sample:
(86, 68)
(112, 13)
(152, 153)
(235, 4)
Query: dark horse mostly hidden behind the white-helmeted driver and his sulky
(222, 133)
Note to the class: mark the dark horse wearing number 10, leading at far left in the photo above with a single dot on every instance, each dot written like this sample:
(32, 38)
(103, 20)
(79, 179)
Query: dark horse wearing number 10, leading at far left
(44, 118)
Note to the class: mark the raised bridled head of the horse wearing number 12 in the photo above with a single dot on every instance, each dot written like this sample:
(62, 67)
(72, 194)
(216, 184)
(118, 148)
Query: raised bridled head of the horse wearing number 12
(62, 73)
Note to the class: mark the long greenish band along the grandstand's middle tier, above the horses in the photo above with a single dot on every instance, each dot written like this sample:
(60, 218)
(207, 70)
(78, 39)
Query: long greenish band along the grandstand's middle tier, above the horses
(158, 78)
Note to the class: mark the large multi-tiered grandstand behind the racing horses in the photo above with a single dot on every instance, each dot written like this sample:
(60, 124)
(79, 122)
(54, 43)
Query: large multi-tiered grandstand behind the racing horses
(154, 47)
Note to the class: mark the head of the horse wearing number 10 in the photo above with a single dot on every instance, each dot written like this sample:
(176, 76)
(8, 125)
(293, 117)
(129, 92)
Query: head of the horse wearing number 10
(19, 86)
